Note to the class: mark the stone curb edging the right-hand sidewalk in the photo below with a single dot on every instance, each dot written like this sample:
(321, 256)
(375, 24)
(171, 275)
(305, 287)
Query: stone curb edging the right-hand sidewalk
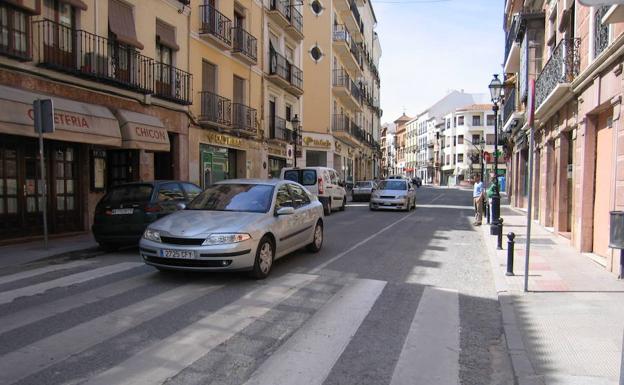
(524, 373)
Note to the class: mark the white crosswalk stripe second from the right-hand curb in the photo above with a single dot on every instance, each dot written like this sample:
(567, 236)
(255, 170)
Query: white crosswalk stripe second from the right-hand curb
(308, 356)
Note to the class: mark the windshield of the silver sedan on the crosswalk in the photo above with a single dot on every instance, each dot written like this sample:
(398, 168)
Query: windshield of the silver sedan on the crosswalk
(254, 198)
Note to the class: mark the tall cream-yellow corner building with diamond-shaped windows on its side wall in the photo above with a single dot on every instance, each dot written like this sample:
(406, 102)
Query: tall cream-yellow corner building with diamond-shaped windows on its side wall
(341, 107)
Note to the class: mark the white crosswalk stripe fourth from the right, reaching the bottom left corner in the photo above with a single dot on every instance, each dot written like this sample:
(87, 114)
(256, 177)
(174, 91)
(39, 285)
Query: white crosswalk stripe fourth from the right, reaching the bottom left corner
(53, 349)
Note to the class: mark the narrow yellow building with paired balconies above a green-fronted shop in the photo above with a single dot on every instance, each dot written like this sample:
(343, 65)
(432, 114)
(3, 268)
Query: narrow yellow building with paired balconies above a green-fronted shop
(225, 140)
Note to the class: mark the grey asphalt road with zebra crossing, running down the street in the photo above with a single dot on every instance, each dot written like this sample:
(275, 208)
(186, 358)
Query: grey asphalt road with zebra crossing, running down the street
(393, 298)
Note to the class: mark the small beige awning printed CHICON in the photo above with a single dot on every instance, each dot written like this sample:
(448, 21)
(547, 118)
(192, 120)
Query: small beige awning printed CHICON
(141, 131)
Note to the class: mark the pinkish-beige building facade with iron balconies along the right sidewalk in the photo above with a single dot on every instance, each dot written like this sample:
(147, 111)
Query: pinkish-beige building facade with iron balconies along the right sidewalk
(574, 55)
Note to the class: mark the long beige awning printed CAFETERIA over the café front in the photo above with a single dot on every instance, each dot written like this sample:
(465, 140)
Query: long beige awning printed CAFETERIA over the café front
(74, 121)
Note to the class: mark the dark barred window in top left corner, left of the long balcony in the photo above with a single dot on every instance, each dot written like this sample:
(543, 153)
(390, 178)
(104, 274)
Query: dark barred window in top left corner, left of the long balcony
(14, 32)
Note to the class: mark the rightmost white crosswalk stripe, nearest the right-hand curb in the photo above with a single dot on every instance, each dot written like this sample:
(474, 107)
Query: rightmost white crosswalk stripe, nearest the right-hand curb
(430, 354)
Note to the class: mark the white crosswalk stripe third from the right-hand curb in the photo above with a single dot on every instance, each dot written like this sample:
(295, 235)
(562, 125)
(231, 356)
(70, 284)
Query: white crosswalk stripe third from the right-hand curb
(170, 356)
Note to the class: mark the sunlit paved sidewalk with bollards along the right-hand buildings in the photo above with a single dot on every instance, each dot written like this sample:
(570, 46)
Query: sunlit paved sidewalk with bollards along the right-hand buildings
(568, 328)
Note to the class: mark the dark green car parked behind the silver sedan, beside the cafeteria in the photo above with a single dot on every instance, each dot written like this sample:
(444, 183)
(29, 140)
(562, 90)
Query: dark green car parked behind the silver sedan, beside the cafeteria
(124, 212)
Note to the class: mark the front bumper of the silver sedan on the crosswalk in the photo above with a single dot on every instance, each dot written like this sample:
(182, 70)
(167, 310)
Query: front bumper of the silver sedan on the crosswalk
(230, 257)
